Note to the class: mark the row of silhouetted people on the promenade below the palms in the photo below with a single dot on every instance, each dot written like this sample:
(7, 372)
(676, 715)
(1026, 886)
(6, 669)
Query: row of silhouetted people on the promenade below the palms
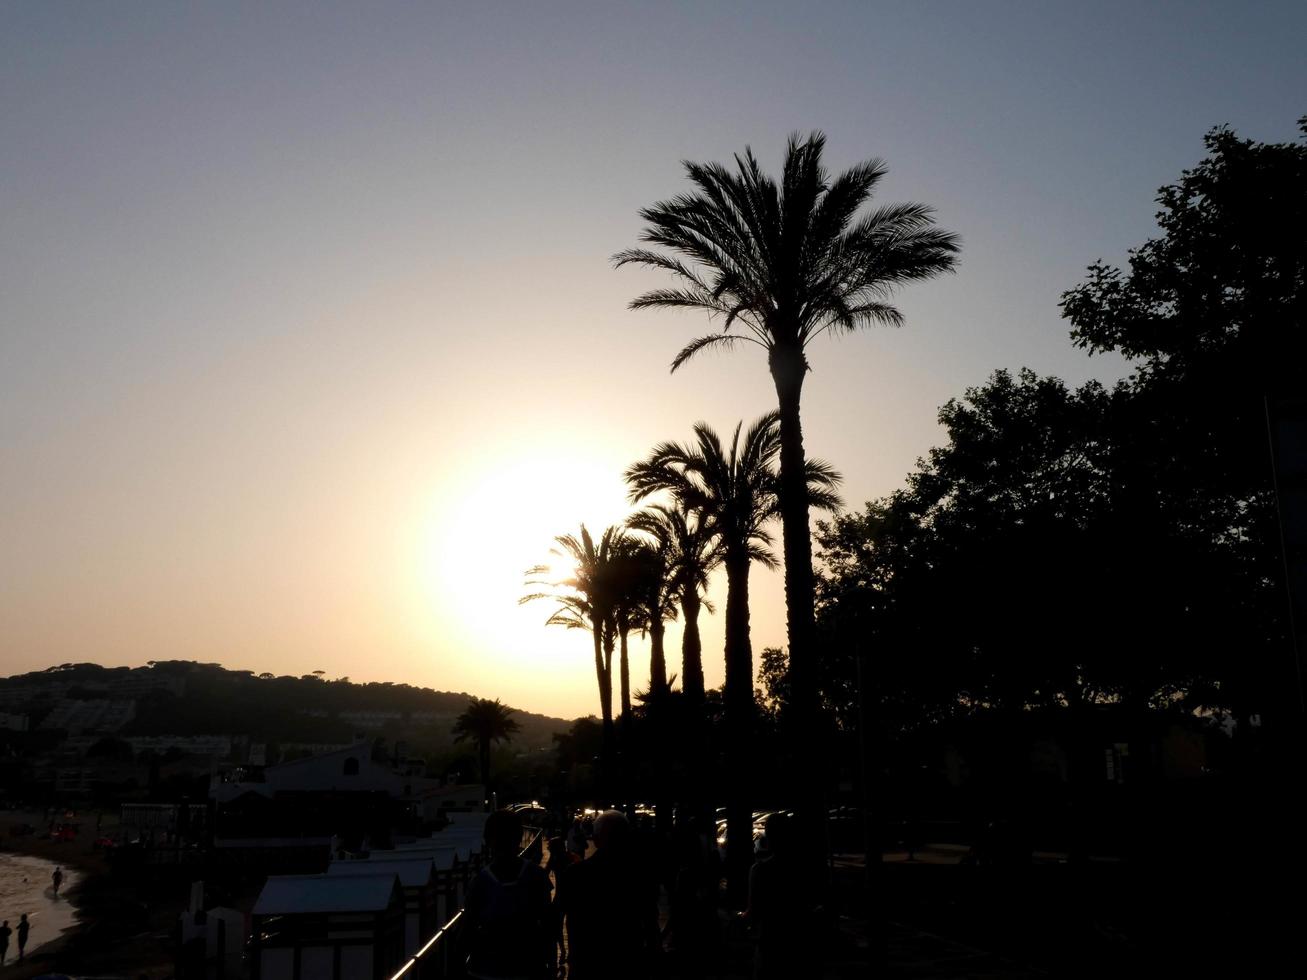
(608, 904)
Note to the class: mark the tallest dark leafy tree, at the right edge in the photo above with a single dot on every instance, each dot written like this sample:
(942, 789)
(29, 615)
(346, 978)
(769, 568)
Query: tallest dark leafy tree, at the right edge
(1214, 316)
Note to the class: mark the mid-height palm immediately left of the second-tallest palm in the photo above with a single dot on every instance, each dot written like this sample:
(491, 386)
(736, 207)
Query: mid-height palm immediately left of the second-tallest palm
(688, 551)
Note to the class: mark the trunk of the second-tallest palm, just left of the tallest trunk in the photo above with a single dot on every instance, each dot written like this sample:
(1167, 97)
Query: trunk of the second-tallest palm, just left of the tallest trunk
(739, 711)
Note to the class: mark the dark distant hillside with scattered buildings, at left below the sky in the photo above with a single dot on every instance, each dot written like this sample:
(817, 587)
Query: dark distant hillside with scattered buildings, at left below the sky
(116, 735)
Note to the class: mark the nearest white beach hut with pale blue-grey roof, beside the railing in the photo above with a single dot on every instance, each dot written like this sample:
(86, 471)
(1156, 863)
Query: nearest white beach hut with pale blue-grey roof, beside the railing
(322, 927)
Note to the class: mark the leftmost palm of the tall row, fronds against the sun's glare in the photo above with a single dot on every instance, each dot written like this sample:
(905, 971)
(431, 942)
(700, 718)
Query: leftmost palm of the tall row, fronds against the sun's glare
(587, 603)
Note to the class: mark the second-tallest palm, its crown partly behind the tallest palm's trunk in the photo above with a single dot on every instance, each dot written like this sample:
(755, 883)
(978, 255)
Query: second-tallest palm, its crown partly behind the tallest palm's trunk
(735, 493)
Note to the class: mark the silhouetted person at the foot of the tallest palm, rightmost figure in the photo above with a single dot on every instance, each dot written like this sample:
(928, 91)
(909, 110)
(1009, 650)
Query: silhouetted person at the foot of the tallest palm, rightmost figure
(780, 906)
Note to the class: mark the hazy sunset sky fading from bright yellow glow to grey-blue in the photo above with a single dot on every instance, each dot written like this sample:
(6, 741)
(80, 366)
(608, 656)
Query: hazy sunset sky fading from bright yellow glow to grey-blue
(310, 342)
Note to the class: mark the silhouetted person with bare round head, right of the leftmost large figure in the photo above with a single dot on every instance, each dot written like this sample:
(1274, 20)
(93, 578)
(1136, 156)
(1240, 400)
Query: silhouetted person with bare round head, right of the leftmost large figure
(610, 905)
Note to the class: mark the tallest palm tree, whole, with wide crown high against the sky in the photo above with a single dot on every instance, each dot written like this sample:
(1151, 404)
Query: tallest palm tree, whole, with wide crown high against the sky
(789, 262)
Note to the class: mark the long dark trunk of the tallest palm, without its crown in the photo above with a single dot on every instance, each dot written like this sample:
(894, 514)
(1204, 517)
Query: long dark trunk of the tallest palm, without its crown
(789, 367)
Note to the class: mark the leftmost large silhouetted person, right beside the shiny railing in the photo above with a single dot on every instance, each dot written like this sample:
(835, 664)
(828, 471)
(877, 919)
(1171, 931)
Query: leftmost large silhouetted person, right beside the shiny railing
(512, 927)
